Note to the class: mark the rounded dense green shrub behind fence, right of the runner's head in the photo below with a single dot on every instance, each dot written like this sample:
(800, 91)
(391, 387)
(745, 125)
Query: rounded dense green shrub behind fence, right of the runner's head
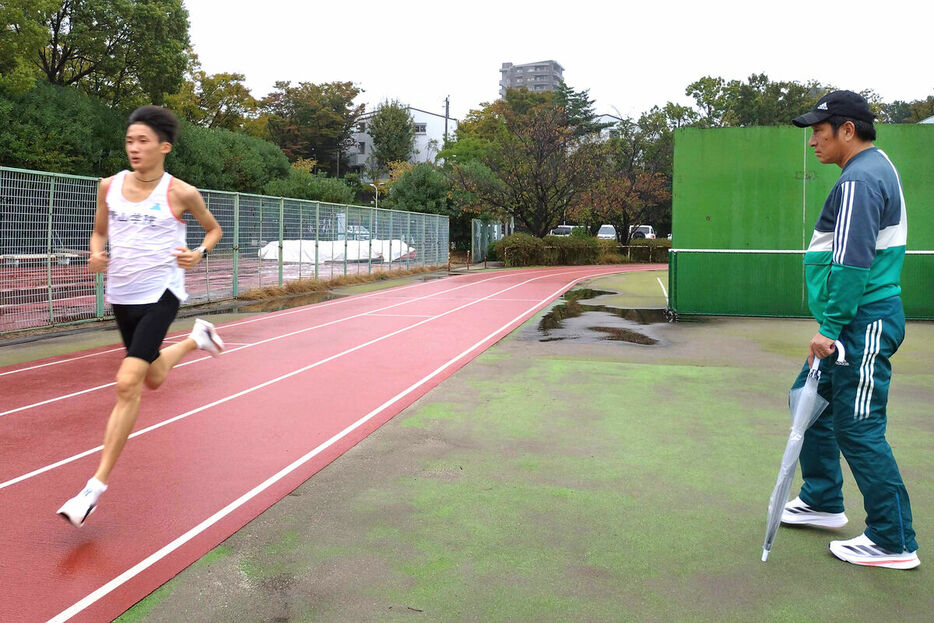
(219, 159)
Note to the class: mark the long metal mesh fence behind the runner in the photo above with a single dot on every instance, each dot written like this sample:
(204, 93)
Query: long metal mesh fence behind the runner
(46, 221)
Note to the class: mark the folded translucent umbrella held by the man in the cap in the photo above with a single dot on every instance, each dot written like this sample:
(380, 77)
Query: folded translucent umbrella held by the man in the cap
(806, 406)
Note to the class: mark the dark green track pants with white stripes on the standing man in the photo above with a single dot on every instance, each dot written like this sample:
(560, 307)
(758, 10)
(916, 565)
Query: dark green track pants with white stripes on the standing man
(854, 424)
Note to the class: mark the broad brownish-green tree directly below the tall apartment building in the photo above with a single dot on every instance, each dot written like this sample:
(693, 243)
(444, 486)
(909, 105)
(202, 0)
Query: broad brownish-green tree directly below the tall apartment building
(536, 168)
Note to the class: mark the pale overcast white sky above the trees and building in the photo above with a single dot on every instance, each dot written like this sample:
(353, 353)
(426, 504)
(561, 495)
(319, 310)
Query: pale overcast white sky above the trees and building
(629, 56)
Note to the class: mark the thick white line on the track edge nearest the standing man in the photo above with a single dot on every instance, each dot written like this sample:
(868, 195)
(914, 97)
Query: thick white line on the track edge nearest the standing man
(158, 555)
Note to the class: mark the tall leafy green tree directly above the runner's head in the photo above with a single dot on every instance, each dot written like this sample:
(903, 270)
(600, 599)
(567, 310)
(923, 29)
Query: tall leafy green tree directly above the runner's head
(124, 51)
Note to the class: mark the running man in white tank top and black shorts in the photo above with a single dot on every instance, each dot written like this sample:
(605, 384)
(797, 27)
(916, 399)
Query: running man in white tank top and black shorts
(140, 213)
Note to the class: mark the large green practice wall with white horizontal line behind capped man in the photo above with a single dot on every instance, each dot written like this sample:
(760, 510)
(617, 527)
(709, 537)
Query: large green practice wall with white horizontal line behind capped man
(762, 189)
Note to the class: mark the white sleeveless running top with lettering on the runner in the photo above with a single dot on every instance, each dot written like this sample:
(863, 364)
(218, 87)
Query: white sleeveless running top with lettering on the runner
(142, 236)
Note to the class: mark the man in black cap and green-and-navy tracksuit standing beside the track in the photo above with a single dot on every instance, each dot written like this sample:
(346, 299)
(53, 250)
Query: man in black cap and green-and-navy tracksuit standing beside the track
(852, 267)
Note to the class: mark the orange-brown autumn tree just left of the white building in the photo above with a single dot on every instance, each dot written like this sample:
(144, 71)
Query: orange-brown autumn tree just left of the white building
(313, 121)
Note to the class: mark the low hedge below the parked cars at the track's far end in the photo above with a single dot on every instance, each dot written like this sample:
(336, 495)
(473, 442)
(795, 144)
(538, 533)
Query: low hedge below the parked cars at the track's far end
(525, 250)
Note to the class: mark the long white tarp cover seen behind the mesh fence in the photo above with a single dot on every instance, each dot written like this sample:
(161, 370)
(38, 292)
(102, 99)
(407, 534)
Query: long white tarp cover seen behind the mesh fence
(333, 251)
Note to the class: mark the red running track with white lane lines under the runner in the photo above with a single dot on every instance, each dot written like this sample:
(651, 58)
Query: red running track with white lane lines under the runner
(224, 438)
